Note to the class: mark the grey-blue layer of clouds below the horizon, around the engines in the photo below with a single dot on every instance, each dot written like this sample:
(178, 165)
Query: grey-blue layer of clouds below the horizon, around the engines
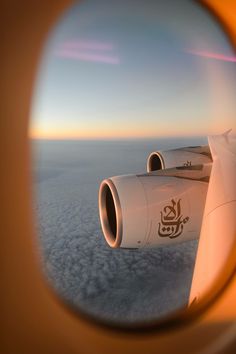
(121, 285)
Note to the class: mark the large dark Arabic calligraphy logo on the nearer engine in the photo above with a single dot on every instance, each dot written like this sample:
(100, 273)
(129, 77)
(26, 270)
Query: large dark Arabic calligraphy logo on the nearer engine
(172, 222)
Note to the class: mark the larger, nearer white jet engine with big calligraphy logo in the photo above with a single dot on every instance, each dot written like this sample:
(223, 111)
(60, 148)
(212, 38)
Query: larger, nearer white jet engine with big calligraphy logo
(152, 209)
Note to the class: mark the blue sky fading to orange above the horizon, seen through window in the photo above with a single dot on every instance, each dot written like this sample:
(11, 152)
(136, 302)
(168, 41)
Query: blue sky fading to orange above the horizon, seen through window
(134, 69)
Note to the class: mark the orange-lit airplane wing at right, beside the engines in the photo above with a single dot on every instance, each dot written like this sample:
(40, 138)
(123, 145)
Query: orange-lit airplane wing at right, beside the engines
(218, 233)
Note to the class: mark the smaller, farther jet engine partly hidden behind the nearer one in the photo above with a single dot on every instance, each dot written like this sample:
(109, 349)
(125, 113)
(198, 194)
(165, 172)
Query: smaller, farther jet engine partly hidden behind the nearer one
(187, 156)
